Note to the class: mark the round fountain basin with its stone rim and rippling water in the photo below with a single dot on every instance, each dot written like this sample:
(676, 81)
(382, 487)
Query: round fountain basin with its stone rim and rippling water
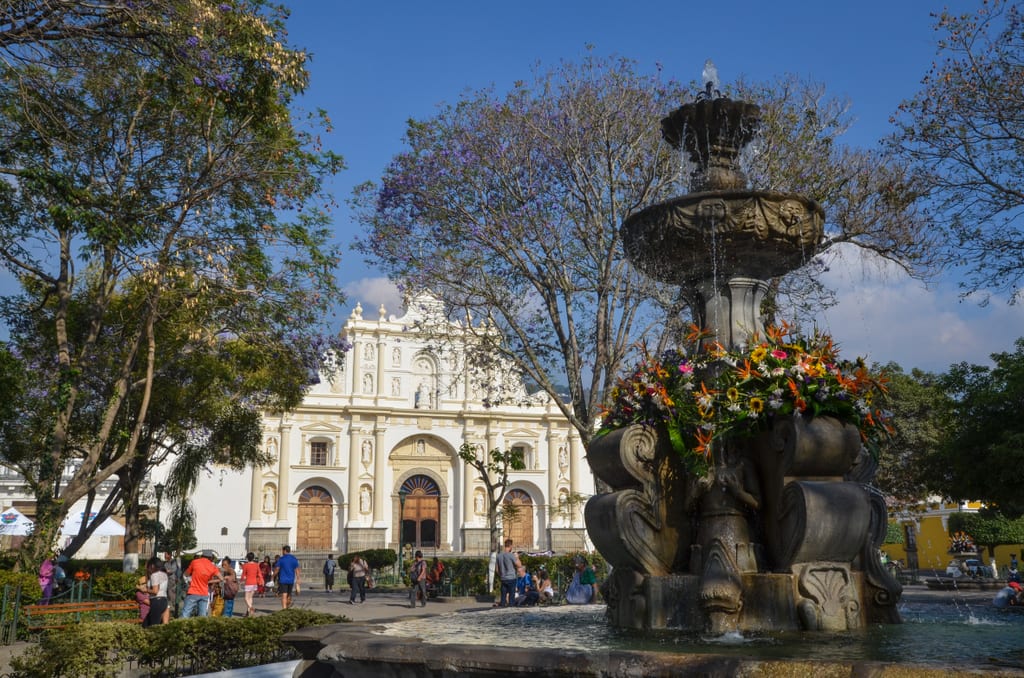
(945, 635)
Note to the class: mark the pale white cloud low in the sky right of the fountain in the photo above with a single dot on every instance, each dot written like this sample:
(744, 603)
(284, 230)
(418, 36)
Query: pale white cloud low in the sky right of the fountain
(887, 317)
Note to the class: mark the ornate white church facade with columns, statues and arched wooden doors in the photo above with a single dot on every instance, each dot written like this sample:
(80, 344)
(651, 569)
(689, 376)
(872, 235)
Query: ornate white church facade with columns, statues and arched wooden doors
(370, 459)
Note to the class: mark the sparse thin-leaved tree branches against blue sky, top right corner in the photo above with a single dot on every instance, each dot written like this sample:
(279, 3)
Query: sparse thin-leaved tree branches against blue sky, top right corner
(964, 135)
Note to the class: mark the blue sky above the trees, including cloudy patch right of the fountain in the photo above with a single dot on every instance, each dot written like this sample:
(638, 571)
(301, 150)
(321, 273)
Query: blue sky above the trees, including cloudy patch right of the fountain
(378, 64)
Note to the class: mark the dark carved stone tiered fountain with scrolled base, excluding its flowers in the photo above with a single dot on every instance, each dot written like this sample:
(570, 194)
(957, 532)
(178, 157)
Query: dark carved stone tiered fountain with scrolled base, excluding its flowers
(783, 533)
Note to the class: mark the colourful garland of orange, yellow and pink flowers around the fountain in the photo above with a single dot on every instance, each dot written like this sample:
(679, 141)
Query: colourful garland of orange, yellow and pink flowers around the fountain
(708, 396)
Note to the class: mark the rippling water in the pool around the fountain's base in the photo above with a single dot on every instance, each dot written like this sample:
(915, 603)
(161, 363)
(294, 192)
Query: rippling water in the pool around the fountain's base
(941, 631)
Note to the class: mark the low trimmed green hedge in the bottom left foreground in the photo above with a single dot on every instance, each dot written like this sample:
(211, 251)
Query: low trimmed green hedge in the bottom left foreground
(200, 645)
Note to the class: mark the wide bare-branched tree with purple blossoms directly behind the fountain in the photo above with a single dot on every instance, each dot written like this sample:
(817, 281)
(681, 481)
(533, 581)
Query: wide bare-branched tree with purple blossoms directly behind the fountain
(509, 208)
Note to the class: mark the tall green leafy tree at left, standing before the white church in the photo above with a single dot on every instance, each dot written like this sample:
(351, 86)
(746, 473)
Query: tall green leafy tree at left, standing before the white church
(162, 216)
